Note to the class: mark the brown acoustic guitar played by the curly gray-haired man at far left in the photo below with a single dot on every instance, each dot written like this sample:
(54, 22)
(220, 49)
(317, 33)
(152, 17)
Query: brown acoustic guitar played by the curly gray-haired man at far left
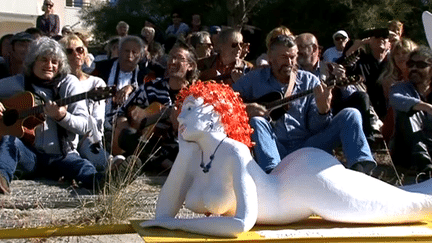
(22, 114)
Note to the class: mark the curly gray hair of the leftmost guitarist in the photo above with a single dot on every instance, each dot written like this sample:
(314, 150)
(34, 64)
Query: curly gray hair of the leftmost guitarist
(46, 47)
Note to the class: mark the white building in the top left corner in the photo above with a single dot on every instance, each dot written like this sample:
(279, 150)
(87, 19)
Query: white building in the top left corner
(18, 15)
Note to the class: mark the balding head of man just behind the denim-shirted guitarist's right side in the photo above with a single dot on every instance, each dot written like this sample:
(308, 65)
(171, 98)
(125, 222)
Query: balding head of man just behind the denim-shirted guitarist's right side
(308, 51)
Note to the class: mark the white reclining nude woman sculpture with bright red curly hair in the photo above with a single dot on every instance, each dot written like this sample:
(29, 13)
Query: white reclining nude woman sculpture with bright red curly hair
(215, 174)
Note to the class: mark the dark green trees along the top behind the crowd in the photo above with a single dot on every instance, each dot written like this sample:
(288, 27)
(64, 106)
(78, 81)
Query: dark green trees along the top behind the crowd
(320, 17)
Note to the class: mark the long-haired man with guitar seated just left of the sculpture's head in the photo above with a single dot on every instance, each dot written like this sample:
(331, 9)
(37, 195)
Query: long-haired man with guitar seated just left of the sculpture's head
(136, 114)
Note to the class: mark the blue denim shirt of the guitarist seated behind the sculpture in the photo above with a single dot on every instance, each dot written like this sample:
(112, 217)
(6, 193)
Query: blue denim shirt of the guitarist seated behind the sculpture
(302, 120)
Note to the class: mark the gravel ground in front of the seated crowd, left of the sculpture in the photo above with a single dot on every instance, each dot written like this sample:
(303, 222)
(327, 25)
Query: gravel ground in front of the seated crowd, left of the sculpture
(35, 203)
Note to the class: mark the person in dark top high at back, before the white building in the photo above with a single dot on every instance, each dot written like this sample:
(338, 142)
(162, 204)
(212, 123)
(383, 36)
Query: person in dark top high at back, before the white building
(48, 23)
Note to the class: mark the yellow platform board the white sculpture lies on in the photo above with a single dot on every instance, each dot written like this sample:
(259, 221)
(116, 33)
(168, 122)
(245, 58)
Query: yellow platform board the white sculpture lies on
(312, 230)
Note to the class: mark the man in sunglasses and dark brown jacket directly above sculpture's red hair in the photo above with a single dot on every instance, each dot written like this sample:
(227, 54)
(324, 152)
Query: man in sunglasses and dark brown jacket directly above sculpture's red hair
(229, 64)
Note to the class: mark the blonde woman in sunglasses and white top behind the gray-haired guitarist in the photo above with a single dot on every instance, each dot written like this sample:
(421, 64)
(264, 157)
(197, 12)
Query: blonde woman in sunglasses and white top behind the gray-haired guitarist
(90, 145)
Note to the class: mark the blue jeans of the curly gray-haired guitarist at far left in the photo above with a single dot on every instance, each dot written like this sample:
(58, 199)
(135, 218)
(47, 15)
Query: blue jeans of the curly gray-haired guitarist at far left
(15, 155)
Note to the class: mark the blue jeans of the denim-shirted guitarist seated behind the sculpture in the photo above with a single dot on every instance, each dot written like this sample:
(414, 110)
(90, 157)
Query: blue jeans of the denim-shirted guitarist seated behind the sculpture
(344, 129)
